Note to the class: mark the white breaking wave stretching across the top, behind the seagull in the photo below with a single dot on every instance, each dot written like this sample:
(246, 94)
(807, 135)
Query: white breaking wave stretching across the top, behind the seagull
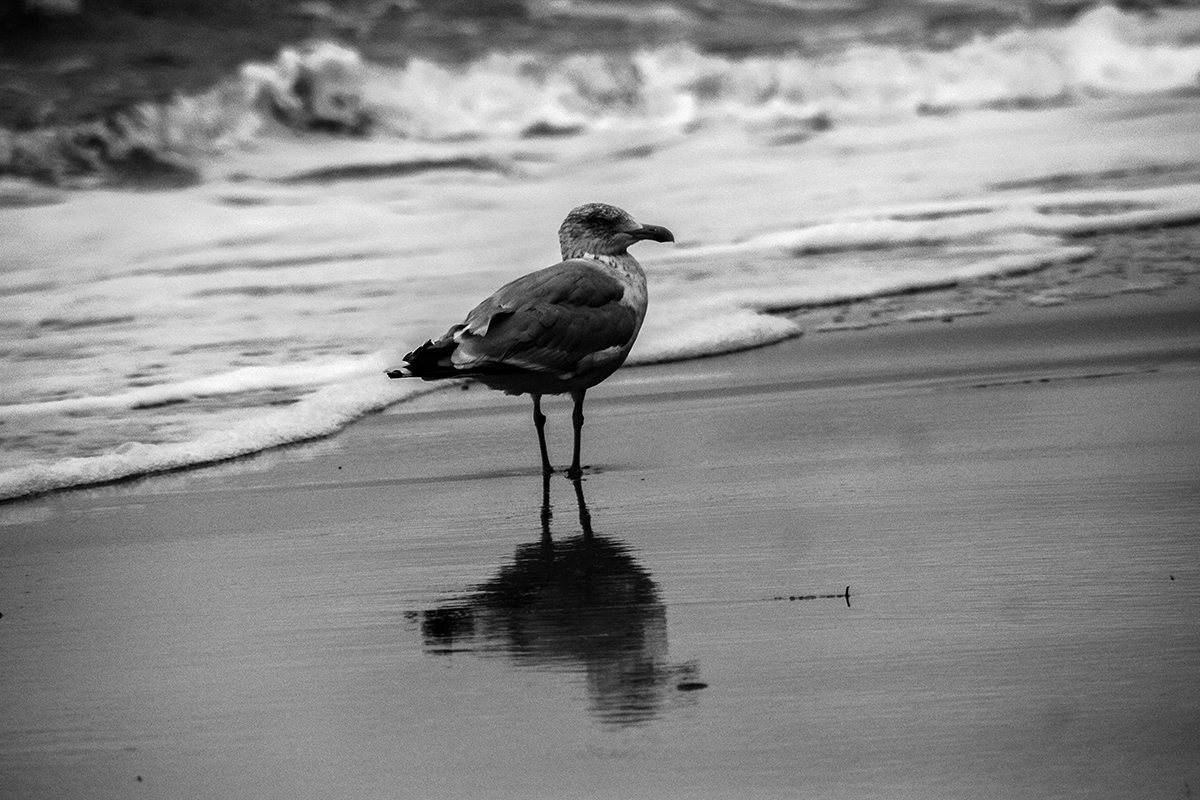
(505, 95)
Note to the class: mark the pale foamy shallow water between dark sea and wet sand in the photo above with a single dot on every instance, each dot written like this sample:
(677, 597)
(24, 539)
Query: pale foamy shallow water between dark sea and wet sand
(151, 330)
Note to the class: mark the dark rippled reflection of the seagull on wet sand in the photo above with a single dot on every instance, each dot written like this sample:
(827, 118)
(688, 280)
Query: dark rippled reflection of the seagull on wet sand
(578, 604)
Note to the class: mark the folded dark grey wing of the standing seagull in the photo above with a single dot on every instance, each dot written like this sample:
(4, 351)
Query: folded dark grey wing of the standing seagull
(557, 321)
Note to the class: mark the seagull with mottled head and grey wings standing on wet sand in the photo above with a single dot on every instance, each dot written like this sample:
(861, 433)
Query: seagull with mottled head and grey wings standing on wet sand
(560, 330)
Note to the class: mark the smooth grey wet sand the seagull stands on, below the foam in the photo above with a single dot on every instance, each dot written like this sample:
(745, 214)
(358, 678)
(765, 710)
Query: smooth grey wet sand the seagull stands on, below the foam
(1011, 498)
